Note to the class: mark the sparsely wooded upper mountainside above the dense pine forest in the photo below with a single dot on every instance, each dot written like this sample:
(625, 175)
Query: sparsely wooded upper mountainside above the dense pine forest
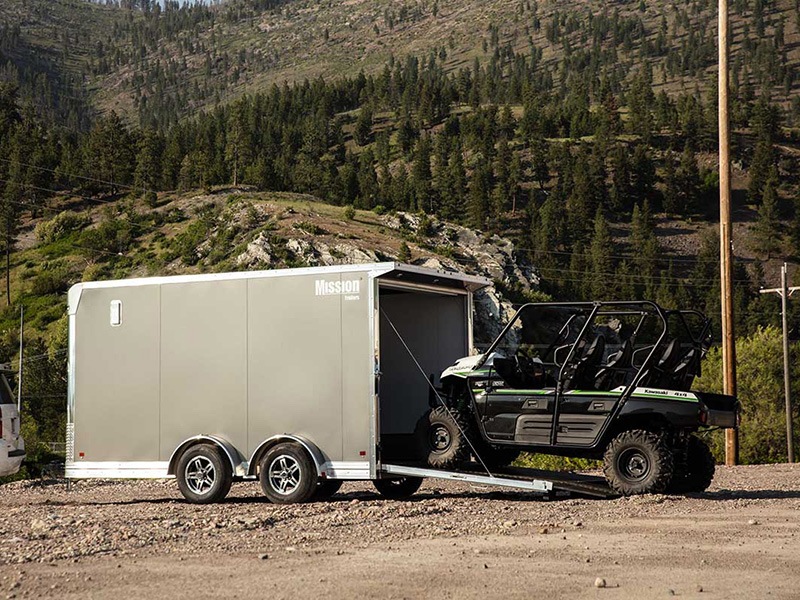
(154, 64)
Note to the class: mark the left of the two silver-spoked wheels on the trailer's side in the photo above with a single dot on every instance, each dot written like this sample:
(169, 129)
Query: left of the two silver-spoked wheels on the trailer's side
(204, 475)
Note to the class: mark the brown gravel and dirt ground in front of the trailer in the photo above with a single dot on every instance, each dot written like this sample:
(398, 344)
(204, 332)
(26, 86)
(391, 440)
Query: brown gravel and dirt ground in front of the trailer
(139, 539)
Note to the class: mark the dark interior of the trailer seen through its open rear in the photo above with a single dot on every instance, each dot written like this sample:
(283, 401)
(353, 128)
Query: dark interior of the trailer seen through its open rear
(434, 326)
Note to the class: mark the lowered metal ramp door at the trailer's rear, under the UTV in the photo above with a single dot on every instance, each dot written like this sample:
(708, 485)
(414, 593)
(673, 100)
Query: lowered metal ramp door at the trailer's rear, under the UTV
(546, 483)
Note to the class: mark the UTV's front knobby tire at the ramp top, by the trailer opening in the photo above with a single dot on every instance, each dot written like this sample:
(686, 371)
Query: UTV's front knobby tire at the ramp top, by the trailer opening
(441, 439)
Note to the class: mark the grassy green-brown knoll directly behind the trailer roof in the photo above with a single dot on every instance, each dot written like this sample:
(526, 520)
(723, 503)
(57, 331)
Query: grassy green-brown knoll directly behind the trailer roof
(42, 272)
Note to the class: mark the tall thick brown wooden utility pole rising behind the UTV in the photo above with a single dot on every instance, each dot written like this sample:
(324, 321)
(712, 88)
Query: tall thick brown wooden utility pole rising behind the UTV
(726, 245)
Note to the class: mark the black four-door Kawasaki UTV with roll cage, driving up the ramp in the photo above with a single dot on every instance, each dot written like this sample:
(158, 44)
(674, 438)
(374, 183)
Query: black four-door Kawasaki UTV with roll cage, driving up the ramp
(600, 380)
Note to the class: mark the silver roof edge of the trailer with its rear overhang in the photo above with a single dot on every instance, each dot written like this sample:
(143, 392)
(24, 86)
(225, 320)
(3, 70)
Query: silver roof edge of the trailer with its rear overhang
(393, 270)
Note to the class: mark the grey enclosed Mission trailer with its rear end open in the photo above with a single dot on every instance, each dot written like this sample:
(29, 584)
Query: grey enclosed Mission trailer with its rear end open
(299, 377)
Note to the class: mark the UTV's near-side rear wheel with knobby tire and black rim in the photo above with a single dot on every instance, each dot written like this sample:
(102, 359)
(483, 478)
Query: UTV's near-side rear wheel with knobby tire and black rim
(638, 462)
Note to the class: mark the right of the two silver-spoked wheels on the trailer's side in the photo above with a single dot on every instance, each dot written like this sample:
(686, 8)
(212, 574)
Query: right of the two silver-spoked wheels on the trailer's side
(287, 474)
